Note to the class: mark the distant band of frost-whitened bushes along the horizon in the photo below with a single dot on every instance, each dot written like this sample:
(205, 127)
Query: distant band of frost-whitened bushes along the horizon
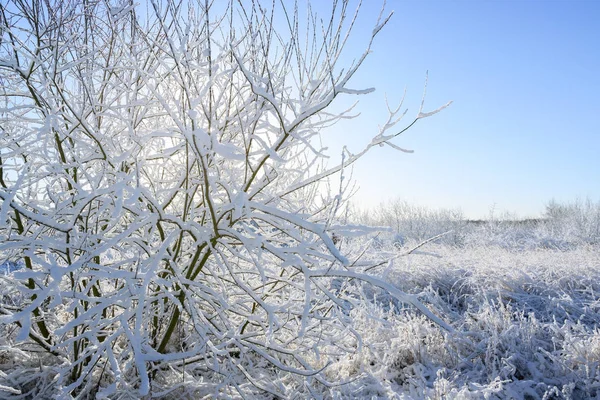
(562, 226)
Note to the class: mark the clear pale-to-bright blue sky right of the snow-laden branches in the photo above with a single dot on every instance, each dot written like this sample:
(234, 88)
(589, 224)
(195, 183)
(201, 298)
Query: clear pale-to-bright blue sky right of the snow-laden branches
(524, 126)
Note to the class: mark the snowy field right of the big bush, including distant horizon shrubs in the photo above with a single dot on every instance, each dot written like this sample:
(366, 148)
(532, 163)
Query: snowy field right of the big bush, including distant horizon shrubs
(523, 297)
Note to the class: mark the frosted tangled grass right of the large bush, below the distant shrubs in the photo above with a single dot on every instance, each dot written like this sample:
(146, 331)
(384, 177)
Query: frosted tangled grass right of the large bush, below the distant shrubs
(527, 327)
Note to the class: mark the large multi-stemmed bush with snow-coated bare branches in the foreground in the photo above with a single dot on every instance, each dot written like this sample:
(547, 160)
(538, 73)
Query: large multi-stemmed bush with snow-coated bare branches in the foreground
(161, 183)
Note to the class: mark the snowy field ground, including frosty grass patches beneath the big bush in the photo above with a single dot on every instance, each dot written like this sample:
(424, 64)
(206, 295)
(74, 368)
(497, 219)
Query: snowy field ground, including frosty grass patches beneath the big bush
(525, 316)
